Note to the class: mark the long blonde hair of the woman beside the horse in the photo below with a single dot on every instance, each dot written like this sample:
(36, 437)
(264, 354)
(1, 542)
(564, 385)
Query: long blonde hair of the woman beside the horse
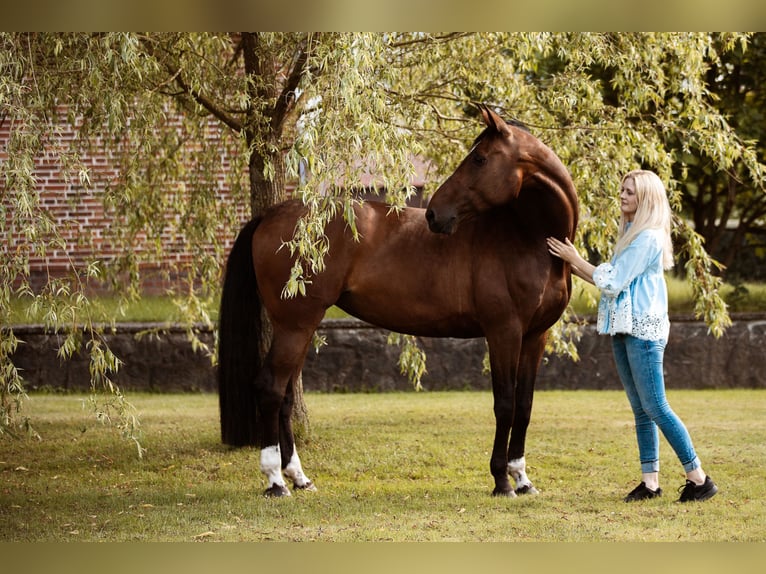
(652, 212)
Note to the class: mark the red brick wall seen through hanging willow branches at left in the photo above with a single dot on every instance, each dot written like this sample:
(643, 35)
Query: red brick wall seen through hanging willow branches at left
(86, 223)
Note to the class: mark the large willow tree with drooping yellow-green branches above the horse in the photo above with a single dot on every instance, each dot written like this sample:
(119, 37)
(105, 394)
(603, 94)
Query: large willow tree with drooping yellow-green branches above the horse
(340, 105)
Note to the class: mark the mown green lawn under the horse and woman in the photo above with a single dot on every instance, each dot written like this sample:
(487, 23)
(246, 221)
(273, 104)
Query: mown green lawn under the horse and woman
(397, 466)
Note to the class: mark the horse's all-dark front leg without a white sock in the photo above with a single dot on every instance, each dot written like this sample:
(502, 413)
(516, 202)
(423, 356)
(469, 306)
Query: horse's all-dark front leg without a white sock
(503, 356)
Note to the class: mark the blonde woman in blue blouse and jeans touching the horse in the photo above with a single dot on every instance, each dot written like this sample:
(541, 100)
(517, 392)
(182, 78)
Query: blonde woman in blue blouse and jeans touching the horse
(633, 309)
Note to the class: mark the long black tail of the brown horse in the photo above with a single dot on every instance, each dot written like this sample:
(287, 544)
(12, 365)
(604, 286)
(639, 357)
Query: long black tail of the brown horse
(239, 343)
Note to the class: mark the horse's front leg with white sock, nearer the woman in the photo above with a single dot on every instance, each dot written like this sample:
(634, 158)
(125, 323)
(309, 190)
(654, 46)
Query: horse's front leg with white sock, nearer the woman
(532, 351)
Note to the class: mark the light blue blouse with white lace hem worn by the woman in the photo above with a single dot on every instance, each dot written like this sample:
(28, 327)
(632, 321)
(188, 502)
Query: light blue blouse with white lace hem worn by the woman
(634, 297)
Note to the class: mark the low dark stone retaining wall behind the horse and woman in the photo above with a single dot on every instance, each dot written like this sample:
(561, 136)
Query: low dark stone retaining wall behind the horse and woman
(357, 358)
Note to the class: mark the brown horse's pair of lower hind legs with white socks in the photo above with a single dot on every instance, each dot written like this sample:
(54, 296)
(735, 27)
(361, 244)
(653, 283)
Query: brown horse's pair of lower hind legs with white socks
(275, 401)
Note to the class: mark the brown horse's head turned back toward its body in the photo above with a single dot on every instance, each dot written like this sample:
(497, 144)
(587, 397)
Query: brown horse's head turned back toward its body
(490, 175)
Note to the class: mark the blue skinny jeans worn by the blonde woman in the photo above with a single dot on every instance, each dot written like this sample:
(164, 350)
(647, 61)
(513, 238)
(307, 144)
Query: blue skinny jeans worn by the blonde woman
(639, 364)
